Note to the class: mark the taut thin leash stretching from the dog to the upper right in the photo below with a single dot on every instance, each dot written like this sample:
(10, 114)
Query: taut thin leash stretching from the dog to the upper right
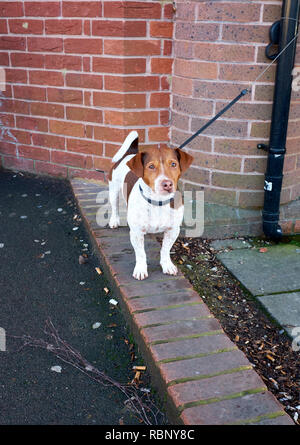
(240, 95)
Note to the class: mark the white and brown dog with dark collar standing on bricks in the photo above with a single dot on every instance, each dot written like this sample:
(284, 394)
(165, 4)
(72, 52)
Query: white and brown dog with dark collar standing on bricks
(148, 180)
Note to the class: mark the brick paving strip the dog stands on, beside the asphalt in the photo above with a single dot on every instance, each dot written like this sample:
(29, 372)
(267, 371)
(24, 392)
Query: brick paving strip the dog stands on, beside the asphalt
(203, 376)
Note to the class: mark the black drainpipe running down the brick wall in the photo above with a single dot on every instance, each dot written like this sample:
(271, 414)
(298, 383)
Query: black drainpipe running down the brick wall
(282, 32)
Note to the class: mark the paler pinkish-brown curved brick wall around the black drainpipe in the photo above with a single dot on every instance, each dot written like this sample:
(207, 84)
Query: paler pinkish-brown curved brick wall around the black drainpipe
(218, 50)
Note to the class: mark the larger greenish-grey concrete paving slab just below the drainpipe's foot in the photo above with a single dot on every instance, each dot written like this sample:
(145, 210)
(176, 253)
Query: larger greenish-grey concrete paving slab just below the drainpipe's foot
(274, 271)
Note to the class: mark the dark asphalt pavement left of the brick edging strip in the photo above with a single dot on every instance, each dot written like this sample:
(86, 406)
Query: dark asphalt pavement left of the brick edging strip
(41, 238)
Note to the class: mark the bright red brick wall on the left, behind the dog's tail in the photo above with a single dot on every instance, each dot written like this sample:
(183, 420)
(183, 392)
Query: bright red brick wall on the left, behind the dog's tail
(80, 75)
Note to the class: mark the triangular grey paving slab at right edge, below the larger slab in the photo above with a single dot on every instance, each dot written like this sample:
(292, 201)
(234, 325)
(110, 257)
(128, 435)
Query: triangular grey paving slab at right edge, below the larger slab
(285, 308)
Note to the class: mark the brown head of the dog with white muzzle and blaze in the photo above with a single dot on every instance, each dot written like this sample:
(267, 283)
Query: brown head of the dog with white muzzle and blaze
(160, 168)
